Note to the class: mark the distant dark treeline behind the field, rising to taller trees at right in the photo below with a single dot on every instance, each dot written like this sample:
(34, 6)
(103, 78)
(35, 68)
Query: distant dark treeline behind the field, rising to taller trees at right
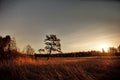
(112, 51)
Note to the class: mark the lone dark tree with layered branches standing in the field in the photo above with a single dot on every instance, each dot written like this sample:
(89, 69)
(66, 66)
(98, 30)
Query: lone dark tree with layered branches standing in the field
(52, 44)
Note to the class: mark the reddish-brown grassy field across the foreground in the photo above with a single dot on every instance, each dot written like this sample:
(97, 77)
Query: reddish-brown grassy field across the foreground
(81, 68)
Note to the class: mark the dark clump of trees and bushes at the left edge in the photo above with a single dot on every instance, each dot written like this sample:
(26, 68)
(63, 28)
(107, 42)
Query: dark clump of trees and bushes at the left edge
(8, 48)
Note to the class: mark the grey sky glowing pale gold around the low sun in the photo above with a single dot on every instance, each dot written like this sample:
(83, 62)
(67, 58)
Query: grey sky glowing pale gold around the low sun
(81, 25)
